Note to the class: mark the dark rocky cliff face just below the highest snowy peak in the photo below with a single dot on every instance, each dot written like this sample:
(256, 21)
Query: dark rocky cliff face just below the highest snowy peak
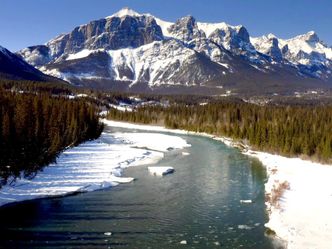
(111, 34)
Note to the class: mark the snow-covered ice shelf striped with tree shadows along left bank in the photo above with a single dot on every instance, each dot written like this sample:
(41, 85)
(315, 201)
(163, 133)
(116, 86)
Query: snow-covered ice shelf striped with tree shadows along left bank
(93, 165)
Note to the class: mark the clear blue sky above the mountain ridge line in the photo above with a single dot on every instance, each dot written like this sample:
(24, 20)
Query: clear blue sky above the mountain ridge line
(30, 22)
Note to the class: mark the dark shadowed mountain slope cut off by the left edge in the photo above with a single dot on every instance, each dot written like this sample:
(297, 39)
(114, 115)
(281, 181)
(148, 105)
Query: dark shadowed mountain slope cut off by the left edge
(14, 68)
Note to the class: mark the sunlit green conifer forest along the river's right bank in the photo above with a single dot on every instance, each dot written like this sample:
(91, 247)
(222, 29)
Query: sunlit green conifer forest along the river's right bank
(291, 130)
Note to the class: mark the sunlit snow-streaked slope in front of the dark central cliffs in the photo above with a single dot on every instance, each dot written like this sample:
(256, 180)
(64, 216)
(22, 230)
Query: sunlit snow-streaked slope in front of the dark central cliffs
(155, 63)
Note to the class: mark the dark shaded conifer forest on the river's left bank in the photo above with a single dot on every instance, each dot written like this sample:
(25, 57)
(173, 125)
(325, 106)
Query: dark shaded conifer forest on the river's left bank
(35, 126)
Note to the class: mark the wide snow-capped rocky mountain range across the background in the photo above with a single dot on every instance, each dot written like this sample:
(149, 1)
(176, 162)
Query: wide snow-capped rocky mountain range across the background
(129, 51)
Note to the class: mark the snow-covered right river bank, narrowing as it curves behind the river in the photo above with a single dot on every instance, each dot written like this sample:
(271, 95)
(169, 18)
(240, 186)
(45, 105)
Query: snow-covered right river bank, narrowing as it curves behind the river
(302, 215)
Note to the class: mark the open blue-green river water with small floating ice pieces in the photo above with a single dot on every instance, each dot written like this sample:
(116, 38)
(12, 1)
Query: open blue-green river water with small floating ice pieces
(198, 206)
